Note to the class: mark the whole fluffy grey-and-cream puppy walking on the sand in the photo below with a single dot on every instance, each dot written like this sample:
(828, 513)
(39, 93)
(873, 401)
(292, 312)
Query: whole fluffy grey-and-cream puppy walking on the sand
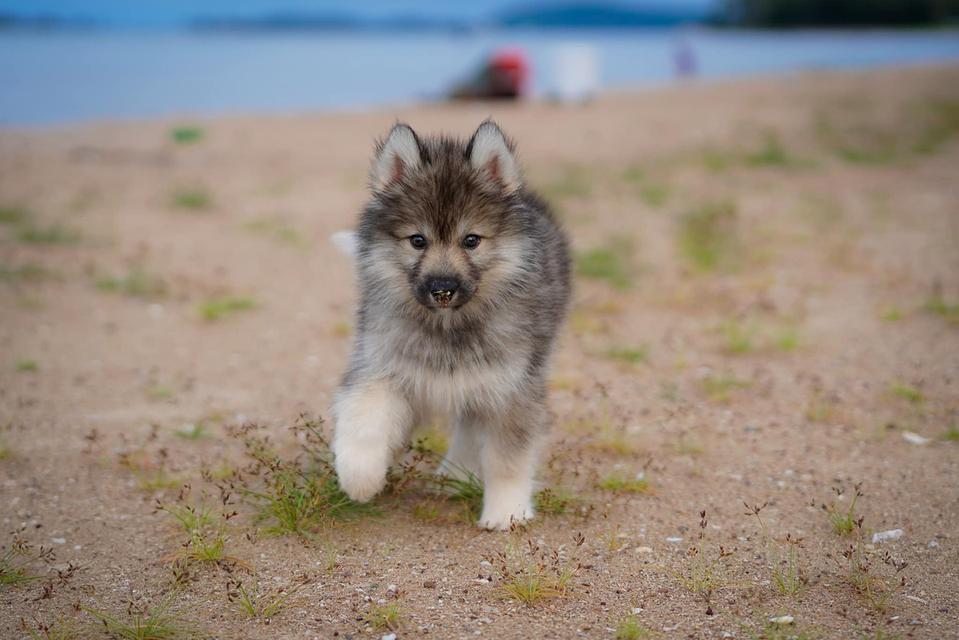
(463, 279)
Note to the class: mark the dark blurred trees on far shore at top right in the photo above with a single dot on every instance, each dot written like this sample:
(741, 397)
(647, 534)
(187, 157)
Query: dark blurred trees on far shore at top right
(836, 13)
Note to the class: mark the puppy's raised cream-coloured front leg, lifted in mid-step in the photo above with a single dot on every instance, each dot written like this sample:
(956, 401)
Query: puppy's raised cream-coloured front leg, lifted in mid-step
(372, 423)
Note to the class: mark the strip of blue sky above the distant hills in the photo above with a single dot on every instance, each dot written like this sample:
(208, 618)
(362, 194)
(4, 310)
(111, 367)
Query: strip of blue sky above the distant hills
(172, 12)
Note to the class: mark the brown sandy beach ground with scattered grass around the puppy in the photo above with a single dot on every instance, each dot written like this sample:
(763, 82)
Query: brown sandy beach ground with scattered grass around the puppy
(767, 353)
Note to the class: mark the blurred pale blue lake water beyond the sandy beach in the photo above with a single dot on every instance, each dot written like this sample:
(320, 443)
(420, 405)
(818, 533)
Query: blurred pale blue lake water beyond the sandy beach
(58, 77)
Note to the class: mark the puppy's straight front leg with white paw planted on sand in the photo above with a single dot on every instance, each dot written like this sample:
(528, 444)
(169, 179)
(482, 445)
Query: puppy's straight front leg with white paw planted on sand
(508, 457)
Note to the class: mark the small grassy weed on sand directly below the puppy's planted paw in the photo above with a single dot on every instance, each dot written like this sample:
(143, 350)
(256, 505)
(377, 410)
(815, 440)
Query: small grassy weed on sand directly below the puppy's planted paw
(535, 575)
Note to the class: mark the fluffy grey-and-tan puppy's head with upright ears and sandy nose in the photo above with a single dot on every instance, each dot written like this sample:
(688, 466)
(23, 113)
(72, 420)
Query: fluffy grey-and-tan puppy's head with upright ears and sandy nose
(442, 230)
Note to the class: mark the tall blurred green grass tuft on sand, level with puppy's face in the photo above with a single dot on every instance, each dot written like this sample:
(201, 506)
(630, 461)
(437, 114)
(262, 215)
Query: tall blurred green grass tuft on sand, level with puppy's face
(708, 236)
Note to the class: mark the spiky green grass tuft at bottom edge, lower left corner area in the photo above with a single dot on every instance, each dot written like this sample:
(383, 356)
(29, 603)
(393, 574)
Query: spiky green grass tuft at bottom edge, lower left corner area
(147, 622)
